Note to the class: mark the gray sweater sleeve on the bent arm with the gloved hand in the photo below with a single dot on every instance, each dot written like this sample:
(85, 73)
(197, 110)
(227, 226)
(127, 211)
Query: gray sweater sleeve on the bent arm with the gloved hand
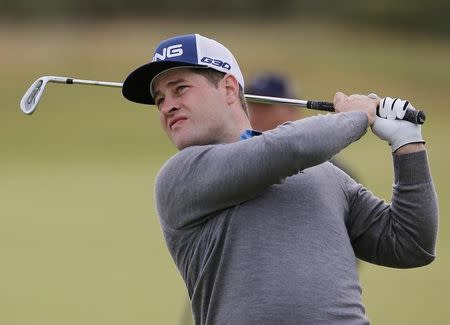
(401, 234)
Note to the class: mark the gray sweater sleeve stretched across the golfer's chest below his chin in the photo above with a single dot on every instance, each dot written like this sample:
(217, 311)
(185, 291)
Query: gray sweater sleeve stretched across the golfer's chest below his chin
(201, 180)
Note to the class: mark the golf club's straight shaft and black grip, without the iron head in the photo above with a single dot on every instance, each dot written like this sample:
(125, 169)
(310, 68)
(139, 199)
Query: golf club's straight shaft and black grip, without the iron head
(413, 116)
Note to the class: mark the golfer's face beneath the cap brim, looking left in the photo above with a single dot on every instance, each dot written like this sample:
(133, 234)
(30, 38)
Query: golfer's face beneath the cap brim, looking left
(190, 107)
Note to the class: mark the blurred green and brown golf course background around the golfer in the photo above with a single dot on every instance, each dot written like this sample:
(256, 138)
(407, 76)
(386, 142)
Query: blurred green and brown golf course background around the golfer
(80, 242)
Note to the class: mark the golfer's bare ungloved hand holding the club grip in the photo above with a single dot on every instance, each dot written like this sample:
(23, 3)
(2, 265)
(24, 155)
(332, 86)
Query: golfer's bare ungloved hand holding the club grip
(360, 103)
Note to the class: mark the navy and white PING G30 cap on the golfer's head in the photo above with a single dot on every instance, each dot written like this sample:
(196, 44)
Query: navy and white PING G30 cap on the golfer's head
(191, 50)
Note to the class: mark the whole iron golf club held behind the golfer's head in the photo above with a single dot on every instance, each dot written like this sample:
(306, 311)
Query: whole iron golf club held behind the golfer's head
(31, 98)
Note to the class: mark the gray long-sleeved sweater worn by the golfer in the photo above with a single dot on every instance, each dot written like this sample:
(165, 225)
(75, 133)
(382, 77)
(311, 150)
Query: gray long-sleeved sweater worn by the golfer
(266, 231)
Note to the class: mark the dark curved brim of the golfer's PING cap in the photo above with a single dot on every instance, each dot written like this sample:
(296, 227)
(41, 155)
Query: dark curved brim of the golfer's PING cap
(136, 86)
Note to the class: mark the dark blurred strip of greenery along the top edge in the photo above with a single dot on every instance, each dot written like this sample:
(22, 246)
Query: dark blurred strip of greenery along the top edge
(429, 16)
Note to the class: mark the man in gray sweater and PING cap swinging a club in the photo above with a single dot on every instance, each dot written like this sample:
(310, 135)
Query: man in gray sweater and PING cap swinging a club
(265, 230)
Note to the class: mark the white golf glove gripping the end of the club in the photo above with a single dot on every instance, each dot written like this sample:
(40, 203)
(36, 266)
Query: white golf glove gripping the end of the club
(395, 131)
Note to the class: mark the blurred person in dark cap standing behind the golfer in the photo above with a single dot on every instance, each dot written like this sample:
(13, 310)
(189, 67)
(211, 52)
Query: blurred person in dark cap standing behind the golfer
(264, 117)
